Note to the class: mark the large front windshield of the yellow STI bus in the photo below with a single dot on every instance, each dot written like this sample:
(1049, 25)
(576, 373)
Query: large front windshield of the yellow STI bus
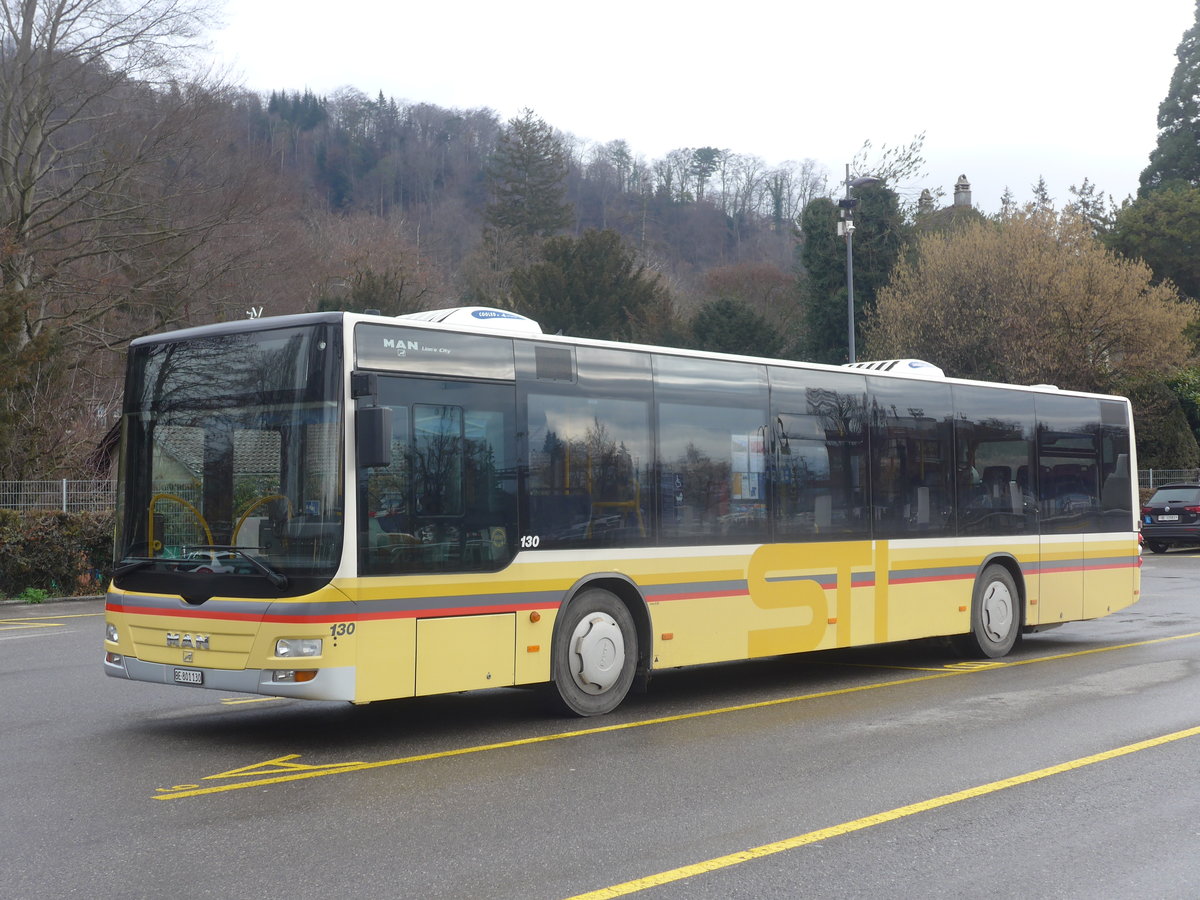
(232, 465)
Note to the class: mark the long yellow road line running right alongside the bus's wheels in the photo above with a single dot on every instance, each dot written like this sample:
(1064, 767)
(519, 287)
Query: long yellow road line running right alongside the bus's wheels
(187, 791)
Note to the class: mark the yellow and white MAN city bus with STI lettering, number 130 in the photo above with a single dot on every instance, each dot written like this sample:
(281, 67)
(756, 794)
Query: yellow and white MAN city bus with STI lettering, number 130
(359, 508)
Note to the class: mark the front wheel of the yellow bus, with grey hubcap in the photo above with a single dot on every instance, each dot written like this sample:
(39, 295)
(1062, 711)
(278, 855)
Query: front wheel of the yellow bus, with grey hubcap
(596, 655)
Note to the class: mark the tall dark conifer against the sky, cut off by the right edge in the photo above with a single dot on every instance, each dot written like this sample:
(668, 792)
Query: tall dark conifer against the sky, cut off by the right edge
(1177, 158)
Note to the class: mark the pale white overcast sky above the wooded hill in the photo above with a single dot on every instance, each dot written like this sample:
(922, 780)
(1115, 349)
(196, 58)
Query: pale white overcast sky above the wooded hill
(1065, 89)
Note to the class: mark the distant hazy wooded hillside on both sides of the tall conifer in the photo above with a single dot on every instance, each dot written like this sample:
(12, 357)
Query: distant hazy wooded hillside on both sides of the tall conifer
(427, 170)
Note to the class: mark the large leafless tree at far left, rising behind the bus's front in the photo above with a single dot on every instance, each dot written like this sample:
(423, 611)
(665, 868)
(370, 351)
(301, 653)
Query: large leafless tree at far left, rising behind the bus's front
(125, 206)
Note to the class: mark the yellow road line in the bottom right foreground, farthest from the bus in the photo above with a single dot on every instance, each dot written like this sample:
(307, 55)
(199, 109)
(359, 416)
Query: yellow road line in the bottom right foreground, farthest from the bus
(766, 850)
